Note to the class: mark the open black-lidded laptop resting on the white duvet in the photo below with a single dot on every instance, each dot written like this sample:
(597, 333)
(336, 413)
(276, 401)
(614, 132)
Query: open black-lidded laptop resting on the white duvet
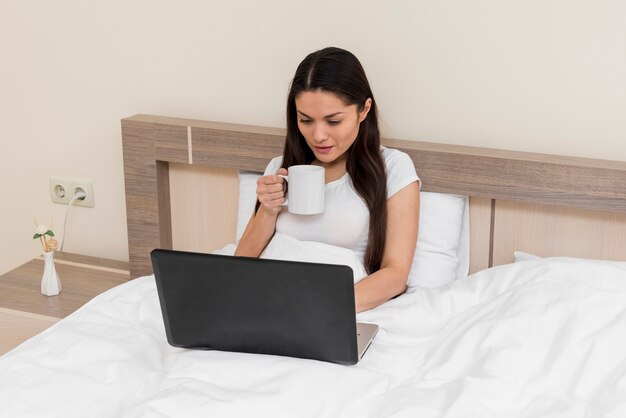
(253, 305)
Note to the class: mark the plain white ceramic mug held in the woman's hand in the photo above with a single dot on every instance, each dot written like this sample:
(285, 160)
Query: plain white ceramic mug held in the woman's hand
(305, 192)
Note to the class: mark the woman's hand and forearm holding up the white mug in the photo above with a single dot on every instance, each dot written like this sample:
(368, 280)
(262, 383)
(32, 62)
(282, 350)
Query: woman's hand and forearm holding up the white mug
(262, 224)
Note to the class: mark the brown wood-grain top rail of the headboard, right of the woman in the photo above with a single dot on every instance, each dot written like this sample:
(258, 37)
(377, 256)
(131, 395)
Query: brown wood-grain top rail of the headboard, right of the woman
(520, 176)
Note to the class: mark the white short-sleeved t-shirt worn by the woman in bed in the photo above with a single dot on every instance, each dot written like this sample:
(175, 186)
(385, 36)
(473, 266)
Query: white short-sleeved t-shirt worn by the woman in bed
(345, 220)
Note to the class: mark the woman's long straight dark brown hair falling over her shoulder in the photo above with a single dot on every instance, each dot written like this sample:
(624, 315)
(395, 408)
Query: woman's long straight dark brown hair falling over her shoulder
(338, 71)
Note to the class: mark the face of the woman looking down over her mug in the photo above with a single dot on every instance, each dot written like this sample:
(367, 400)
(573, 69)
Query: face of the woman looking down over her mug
(328, 125)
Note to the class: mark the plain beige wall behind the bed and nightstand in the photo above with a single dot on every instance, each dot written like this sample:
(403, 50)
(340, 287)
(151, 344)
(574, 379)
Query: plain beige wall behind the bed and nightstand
(540, 75)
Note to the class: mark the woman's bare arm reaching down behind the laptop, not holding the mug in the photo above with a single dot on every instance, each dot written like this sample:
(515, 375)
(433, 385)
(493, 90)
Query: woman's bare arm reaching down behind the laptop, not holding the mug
(401, 238)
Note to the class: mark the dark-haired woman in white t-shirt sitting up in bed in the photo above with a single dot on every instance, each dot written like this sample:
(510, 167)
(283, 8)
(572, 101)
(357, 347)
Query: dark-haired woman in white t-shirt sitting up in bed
(372, 193)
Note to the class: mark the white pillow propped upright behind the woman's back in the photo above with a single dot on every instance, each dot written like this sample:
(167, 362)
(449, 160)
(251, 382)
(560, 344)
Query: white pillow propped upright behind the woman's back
(442, 252)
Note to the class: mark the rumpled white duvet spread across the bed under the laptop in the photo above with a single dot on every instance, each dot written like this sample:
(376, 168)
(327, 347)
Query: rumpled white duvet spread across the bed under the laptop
(531, 339)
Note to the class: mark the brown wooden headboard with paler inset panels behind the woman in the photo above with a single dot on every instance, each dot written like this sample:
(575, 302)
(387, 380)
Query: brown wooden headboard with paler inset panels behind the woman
(544, 204)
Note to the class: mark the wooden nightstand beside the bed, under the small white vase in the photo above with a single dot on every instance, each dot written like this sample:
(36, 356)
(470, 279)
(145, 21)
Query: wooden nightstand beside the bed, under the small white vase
(25, 312)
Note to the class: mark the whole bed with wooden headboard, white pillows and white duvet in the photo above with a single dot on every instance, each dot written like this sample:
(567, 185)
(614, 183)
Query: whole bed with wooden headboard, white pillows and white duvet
(516, 305)
